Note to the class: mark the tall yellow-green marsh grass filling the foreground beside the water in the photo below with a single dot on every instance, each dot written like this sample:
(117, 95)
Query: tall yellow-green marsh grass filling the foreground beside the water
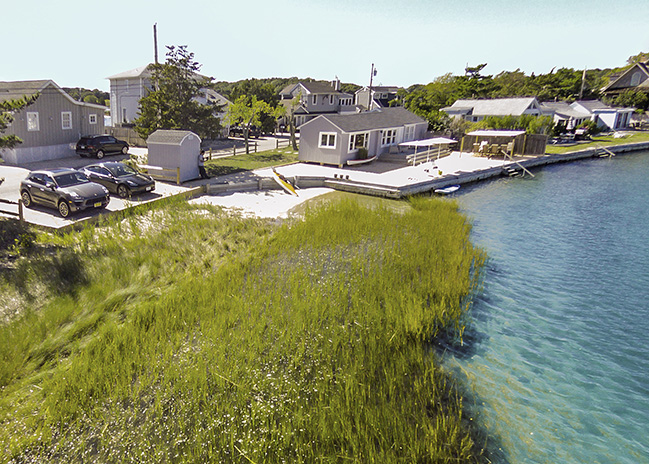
(202, 337)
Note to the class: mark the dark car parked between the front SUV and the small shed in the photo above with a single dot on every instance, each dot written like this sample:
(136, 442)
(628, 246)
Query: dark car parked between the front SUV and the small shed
(119, 178)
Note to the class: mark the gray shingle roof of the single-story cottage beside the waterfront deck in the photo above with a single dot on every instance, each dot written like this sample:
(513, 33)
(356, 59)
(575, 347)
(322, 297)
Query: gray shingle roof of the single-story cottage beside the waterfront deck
(377, 119)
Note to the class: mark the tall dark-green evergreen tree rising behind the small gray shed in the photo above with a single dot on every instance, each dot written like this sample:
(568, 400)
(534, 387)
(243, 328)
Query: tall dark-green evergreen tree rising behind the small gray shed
(172, 104)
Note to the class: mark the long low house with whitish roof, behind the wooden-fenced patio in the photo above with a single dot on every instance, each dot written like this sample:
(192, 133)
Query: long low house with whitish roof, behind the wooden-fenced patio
(477, 110)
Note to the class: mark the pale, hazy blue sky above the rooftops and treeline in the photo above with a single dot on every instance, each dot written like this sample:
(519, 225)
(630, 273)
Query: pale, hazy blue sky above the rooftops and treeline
(81, 43)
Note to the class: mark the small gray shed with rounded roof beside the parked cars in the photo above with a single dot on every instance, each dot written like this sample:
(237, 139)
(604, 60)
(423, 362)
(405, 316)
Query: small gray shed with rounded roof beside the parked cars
(175, 149)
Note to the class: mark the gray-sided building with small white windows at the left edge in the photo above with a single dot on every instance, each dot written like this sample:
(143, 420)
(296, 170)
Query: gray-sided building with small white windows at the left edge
(50, 127)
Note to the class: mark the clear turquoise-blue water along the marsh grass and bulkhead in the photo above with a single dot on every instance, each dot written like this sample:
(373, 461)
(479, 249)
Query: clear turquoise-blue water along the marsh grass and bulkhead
(558, 357)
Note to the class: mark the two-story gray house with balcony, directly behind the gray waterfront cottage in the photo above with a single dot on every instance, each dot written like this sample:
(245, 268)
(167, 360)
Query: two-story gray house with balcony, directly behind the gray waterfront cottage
(317, 98)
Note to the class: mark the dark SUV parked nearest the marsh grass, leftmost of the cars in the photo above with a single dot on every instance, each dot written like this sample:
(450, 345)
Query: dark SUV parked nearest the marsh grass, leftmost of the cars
(67, 190)
